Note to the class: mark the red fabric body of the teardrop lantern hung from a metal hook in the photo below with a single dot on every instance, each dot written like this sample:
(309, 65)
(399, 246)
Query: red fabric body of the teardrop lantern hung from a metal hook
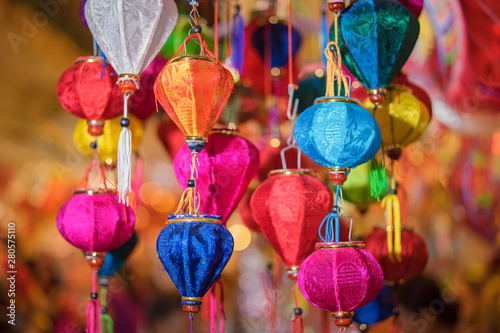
(289, 210)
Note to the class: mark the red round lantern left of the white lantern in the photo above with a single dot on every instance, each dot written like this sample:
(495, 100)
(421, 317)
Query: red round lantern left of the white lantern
(89, 91)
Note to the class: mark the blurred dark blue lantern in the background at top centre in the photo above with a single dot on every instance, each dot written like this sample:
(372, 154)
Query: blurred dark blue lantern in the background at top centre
(275, 36)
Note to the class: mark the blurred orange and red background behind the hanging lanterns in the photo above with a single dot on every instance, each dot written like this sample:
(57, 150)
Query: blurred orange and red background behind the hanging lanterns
(450, 177)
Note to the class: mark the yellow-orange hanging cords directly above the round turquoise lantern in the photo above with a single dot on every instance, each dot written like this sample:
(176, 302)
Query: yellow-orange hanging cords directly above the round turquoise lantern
(334, 66)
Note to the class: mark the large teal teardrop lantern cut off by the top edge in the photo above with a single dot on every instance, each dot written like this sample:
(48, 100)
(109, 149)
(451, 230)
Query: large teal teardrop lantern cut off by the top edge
(384, 30)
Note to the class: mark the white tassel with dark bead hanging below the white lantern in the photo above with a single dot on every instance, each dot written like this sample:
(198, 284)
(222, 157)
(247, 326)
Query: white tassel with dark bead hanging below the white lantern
(124, 155)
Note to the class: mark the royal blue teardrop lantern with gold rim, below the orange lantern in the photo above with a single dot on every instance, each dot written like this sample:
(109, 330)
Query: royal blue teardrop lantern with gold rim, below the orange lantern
(194, 249)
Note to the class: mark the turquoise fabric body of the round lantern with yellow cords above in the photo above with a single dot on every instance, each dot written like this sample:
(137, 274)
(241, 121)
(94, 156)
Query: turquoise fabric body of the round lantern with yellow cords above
(337, 134)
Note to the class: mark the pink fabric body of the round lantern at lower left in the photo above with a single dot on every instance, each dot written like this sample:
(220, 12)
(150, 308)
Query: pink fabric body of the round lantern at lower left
(95, 223)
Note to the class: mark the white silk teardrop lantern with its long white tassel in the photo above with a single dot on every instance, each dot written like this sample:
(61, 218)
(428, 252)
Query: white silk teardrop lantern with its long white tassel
(130, 33)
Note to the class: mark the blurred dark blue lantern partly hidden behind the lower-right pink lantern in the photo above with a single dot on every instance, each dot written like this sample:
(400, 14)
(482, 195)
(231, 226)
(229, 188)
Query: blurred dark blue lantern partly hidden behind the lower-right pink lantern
(381, 308)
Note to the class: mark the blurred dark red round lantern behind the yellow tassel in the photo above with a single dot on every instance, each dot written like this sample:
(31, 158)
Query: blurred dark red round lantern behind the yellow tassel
(408, 263)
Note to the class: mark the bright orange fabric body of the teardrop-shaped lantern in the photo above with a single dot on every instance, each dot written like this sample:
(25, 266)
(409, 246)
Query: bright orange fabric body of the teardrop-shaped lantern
(193, 92)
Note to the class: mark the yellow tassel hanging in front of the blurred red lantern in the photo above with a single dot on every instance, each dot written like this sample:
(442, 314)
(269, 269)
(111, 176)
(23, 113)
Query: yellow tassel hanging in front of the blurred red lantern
(393, 223)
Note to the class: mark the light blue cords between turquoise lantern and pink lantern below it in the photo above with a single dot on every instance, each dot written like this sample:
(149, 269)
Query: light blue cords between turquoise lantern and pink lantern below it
(332, 229)
